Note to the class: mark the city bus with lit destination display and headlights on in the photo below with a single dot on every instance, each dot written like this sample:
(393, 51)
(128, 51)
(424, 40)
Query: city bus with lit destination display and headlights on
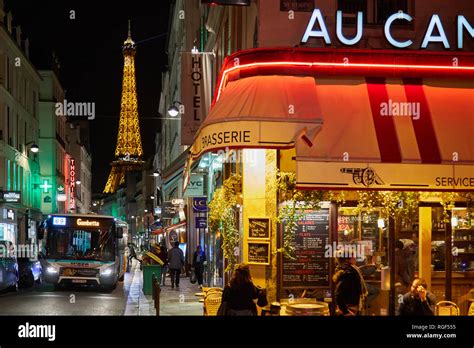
(84, 250)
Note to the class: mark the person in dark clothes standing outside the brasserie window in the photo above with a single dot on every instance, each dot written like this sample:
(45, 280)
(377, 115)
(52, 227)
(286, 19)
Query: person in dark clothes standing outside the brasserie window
(350, 290)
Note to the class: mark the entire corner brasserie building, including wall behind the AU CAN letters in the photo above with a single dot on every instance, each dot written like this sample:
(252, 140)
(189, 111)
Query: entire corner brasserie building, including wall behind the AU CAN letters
(359, 54)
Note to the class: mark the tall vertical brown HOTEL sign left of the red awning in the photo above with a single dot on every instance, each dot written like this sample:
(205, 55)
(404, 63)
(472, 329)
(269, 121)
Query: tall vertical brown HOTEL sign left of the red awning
(195, 93)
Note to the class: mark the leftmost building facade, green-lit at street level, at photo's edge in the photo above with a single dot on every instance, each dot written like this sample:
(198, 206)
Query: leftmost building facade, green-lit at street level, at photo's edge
(19, 167)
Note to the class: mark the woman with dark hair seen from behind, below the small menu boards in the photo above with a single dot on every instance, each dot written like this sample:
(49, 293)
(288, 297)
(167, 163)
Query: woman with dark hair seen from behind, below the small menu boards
(241, 293)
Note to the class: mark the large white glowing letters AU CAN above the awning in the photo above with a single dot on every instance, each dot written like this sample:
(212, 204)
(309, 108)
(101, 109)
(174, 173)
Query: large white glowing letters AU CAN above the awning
(434, 26)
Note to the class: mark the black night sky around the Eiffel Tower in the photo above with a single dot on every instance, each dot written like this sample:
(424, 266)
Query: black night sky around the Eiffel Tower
(91, 61)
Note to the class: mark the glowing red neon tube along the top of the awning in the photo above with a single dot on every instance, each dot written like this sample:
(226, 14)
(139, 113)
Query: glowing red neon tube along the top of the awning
(347, 65)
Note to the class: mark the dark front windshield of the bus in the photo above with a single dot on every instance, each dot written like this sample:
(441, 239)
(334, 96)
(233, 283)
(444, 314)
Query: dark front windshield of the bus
(77, 244)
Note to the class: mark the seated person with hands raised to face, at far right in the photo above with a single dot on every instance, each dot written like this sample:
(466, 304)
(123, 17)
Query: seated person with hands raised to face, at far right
(418, 301)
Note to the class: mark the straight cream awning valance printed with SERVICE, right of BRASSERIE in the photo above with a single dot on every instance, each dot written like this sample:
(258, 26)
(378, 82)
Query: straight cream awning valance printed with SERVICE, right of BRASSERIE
(384, 176)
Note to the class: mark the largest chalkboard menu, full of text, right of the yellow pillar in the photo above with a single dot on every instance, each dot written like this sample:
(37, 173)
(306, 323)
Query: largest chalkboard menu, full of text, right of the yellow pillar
(310, 269)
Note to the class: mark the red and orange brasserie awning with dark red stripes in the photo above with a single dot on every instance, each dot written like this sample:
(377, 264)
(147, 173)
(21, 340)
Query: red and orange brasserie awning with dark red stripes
(404, 121)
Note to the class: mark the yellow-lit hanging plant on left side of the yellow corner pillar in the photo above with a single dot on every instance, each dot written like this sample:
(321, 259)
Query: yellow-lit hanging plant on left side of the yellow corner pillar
(222, 217)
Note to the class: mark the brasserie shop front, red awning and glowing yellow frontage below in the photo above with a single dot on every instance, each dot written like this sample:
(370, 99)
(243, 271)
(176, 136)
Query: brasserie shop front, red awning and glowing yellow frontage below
(346, 149)
